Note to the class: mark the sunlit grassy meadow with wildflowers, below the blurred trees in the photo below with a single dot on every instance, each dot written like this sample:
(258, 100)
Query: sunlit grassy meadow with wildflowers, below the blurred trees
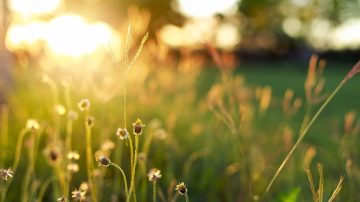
(221, 128)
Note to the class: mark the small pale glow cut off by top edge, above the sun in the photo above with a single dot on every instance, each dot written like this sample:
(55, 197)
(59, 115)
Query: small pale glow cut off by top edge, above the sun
(32, 7)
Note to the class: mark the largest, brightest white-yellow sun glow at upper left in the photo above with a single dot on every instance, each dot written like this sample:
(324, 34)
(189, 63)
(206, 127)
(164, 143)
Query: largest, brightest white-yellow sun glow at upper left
(68, 35)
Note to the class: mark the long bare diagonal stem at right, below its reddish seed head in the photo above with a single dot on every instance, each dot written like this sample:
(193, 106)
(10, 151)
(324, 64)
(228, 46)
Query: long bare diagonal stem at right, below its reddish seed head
(303, 133)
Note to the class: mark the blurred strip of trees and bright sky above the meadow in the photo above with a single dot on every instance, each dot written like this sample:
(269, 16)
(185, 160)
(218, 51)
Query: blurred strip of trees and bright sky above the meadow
(265, 28)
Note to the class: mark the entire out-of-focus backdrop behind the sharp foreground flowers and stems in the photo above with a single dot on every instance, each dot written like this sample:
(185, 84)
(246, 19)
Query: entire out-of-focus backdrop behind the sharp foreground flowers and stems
(229, 79)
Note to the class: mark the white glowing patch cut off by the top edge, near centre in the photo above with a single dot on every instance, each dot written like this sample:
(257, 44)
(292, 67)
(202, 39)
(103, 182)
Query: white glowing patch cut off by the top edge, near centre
(206, 8)
